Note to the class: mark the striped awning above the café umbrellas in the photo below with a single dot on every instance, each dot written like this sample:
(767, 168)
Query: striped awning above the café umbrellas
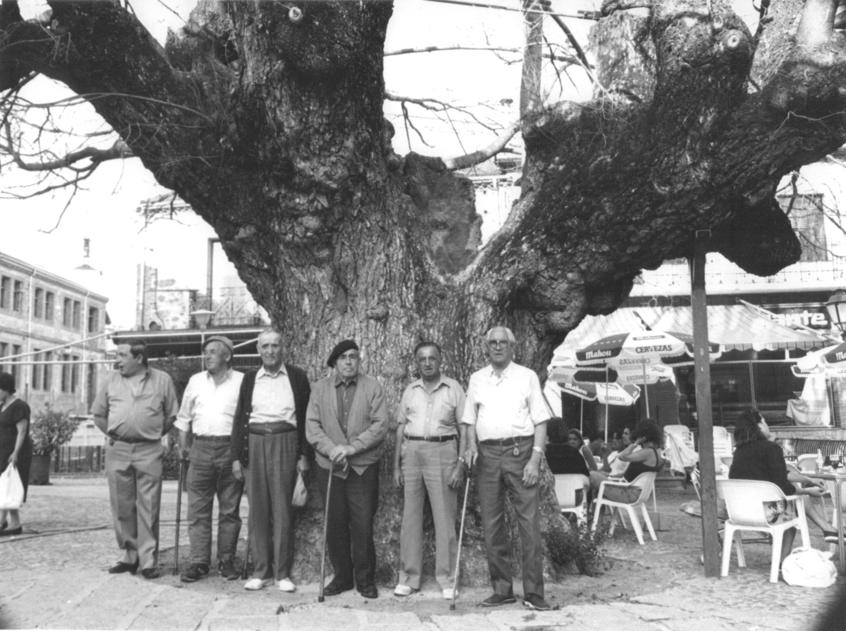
(734, 327)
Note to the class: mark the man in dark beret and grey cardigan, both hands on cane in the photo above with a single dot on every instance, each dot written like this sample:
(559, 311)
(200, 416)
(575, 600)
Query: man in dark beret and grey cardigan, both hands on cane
(347, 421)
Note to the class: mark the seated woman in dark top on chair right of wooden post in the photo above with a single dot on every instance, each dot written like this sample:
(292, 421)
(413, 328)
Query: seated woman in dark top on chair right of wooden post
(758, 458)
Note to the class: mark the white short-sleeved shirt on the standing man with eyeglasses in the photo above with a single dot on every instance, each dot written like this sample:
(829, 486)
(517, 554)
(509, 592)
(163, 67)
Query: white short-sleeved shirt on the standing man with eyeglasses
(504, 406)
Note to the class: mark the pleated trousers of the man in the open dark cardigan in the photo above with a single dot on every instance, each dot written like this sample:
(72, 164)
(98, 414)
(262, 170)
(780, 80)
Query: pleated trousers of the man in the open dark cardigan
(270, 486)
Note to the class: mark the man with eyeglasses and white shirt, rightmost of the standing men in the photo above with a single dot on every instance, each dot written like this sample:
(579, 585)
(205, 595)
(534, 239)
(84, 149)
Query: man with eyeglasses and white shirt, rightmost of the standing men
(506, 415)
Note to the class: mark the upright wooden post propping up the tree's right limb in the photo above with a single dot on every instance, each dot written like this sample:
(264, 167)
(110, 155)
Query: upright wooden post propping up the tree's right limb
(698, 305)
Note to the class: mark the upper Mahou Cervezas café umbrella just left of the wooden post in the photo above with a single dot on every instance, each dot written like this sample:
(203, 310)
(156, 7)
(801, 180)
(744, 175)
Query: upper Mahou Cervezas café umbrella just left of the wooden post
(643, 352)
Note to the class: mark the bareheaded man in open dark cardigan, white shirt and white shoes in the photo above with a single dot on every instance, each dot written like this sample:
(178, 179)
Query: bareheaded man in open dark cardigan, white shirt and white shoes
(268, 448)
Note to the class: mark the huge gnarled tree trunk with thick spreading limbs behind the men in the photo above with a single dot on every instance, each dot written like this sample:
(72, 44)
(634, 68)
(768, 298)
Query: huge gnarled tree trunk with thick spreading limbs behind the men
(269, 123)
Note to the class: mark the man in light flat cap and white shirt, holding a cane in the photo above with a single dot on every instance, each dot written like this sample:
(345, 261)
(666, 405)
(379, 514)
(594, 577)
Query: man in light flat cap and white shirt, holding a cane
(205, 424)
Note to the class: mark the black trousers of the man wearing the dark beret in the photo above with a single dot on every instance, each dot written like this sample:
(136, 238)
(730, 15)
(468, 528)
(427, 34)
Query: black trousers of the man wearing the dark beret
(352, 506)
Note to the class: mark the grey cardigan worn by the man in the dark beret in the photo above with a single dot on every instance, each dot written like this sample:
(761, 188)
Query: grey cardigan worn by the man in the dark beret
(367, 424)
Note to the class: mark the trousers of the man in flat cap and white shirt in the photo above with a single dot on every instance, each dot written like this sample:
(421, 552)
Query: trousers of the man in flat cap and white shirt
(210, 475)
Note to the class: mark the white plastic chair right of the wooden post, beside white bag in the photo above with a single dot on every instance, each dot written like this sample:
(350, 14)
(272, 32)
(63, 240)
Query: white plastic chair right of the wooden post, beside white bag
(745, 506)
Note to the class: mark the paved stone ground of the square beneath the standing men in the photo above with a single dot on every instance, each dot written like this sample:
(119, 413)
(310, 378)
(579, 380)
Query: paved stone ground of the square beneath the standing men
(53, 576)
